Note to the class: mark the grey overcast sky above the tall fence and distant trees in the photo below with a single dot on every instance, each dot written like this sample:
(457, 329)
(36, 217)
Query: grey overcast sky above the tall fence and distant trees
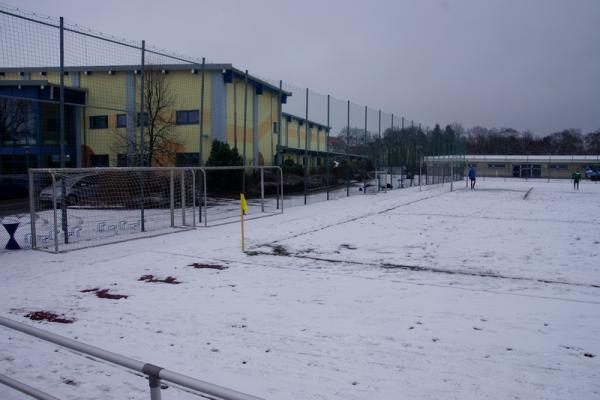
(525, 64)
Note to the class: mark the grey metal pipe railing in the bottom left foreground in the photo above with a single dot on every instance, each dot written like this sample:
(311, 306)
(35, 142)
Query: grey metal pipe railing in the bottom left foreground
(154, 373)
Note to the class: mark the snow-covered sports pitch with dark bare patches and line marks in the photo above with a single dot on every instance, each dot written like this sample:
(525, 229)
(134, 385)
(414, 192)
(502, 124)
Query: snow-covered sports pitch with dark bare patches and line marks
(492, 293)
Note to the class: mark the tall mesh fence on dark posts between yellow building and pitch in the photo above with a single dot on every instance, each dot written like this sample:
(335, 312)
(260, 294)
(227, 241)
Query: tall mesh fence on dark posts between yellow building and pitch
(74, 98)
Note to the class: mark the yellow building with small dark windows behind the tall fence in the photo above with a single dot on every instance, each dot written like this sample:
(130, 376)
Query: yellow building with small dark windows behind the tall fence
(102, 113)
